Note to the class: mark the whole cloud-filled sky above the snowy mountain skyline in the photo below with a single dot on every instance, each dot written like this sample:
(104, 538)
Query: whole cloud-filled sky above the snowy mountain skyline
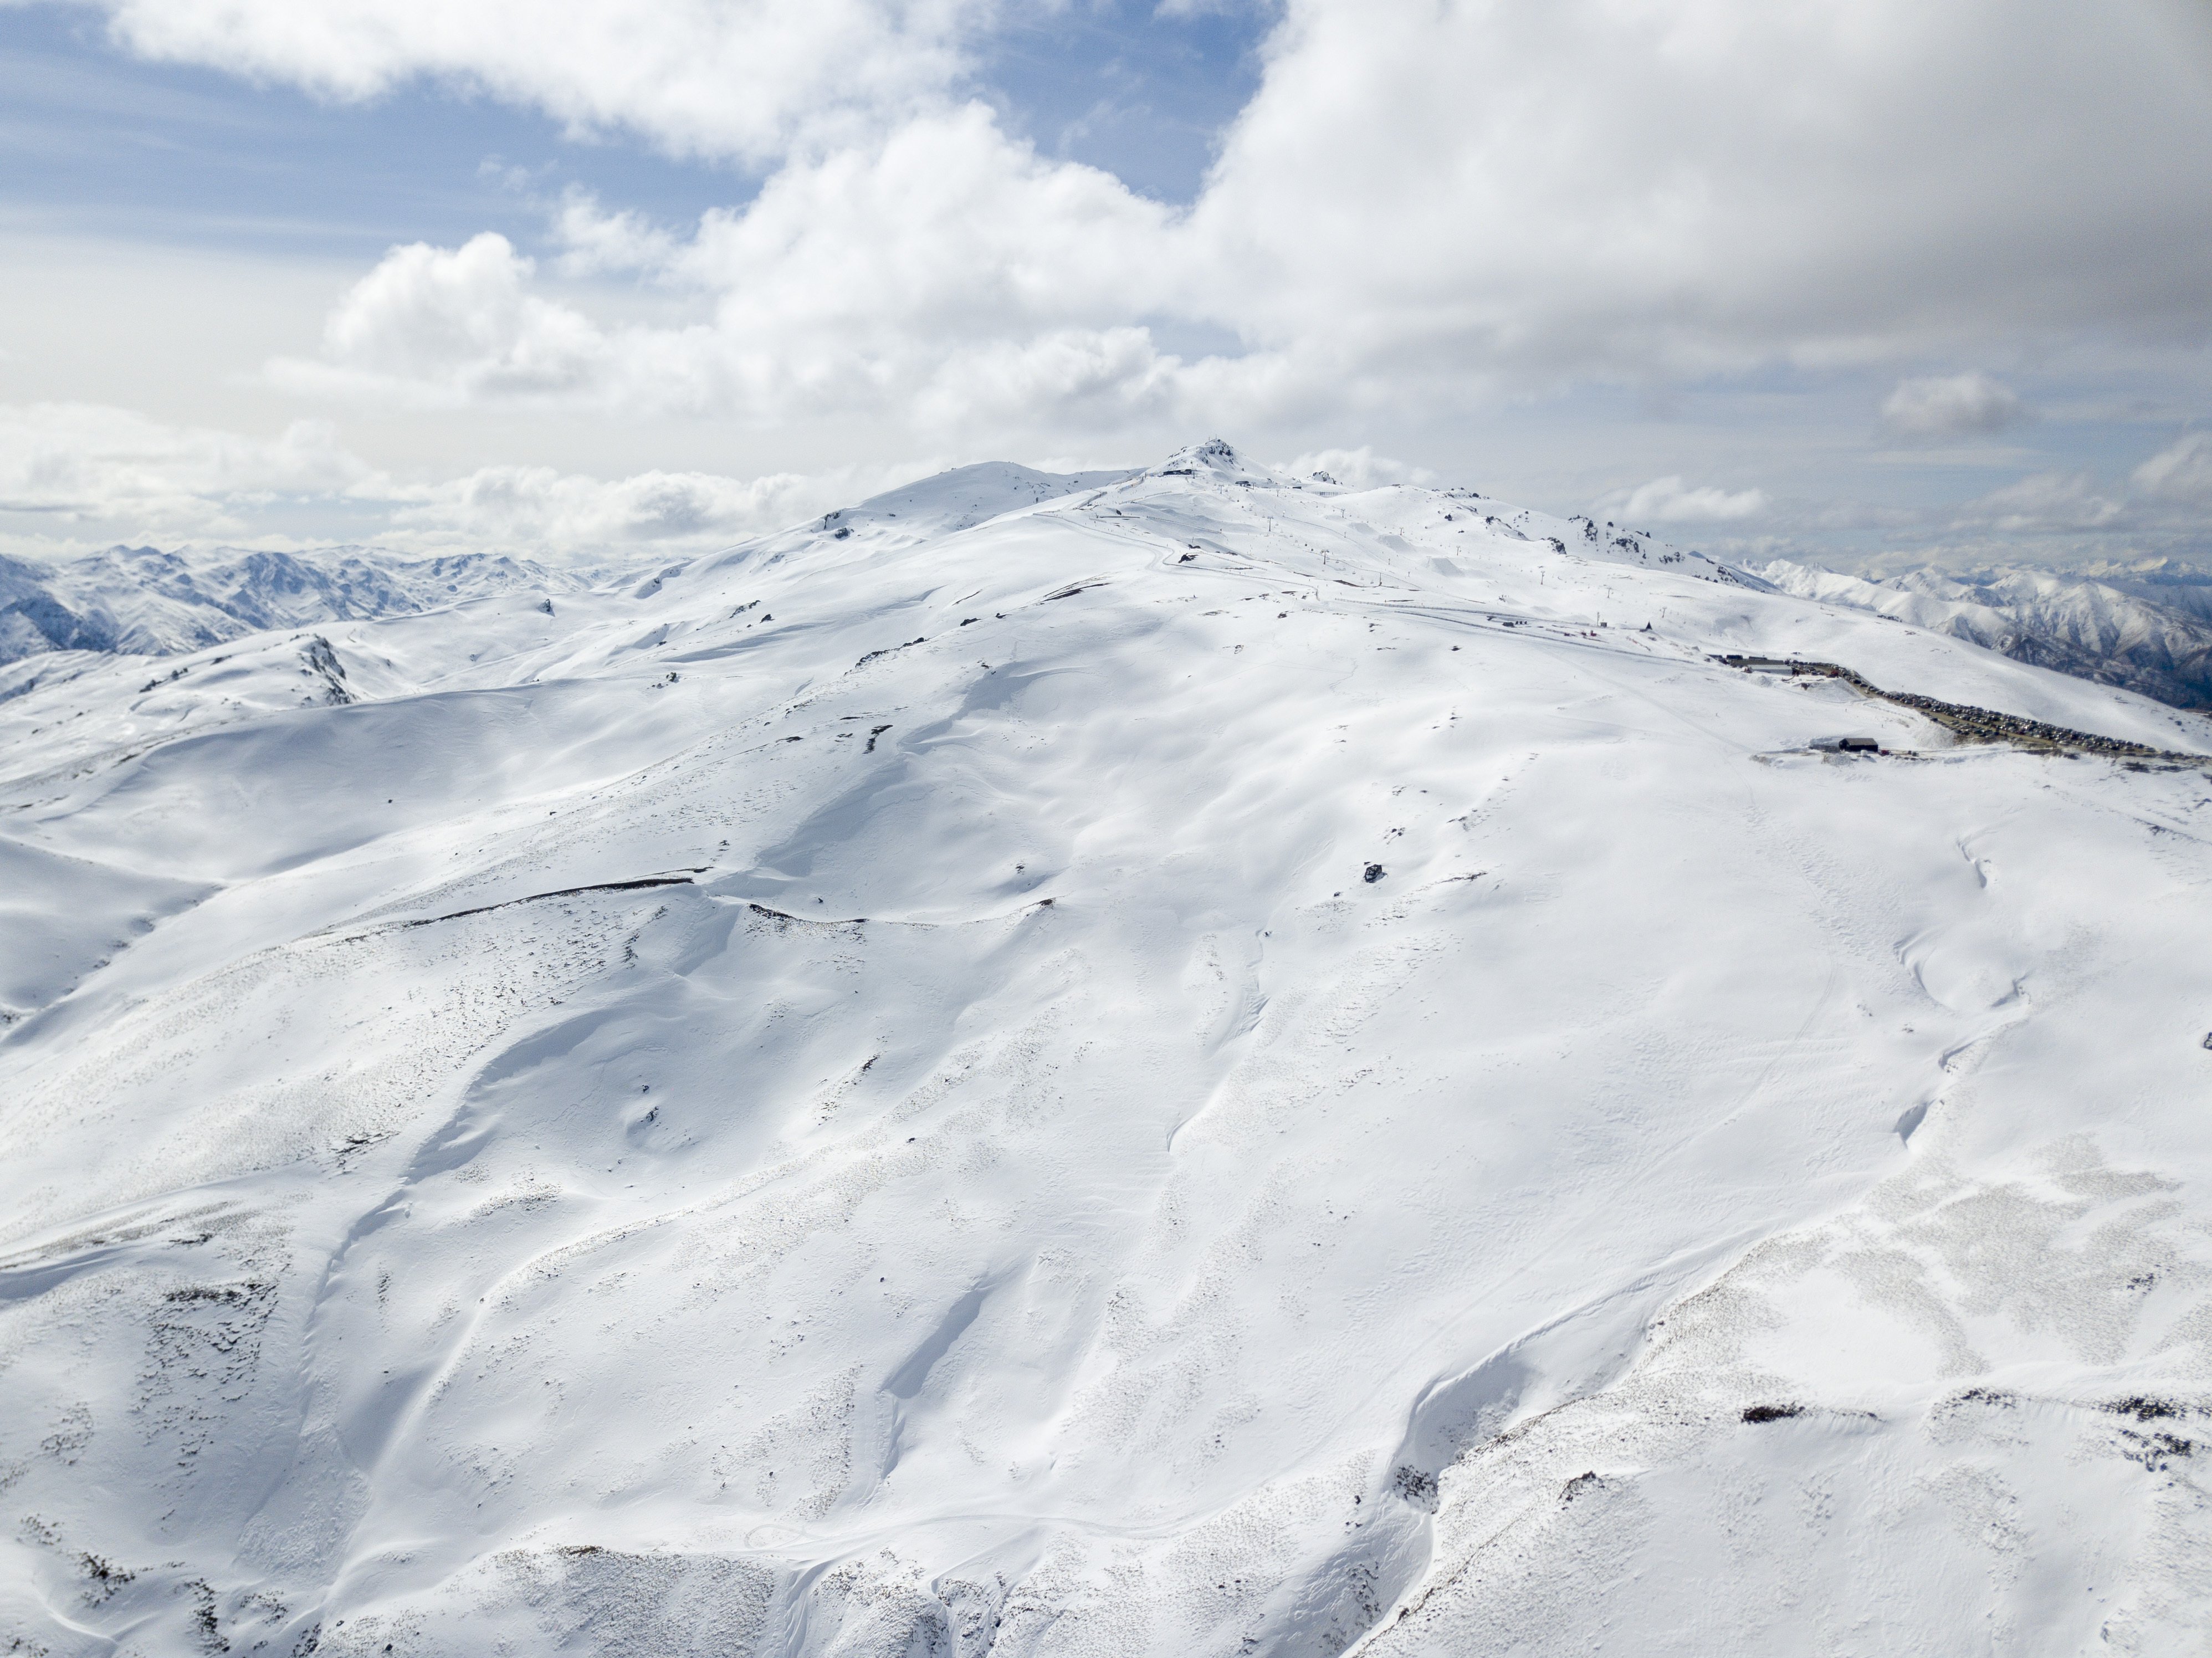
(1850, 282)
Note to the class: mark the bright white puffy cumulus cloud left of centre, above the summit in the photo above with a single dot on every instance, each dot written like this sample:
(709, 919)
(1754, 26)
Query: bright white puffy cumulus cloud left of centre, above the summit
(946, 276)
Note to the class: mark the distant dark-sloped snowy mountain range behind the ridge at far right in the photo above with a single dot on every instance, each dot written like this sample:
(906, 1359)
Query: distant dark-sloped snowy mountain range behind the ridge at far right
(2142, 630)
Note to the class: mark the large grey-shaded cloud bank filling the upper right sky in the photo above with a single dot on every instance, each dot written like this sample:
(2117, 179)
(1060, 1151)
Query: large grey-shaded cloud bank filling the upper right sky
(1618, 187)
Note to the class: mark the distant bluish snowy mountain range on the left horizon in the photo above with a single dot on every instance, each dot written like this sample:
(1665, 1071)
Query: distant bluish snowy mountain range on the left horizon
(158, 603)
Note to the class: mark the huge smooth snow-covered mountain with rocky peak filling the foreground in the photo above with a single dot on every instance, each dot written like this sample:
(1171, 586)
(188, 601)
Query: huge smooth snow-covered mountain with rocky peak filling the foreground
(1198, 1064)
